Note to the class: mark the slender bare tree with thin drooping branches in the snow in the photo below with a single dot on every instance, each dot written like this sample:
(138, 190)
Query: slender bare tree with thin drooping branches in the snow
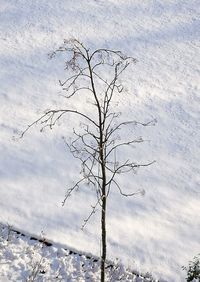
(95, 74)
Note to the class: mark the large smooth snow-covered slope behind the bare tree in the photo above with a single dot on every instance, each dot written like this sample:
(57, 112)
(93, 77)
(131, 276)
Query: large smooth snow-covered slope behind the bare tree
(157, 233)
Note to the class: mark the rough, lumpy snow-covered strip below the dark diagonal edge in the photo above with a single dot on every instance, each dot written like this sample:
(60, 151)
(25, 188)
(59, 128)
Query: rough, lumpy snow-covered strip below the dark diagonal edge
(24, 258)
